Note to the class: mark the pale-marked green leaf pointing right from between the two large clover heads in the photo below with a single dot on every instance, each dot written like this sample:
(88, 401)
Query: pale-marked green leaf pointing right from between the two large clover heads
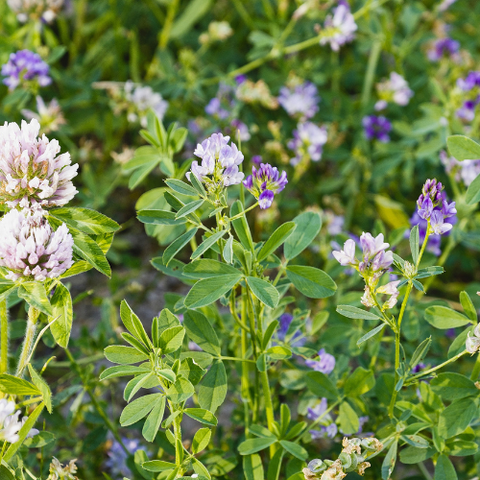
(85, 220)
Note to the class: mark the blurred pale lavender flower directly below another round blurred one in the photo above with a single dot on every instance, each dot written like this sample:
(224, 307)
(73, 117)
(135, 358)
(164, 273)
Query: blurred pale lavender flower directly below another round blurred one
(307, 142)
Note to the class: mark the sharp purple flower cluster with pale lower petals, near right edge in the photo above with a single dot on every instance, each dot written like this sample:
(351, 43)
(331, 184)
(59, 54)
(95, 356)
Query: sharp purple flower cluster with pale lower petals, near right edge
(433, 206)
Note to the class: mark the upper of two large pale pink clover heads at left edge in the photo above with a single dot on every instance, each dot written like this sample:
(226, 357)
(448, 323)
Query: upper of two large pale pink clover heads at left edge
(31, 173)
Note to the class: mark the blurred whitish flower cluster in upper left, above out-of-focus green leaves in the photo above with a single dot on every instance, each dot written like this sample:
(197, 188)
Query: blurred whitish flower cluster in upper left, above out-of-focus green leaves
(141, 99)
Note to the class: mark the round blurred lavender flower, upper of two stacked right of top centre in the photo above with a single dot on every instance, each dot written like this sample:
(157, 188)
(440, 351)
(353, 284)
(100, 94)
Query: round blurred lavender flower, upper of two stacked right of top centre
(300, 101)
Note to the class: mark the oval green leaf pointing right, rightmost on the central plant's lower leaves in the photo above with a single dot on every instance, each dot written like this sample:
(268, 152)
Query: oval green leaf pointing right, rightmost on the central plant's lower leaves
(310, 281)
